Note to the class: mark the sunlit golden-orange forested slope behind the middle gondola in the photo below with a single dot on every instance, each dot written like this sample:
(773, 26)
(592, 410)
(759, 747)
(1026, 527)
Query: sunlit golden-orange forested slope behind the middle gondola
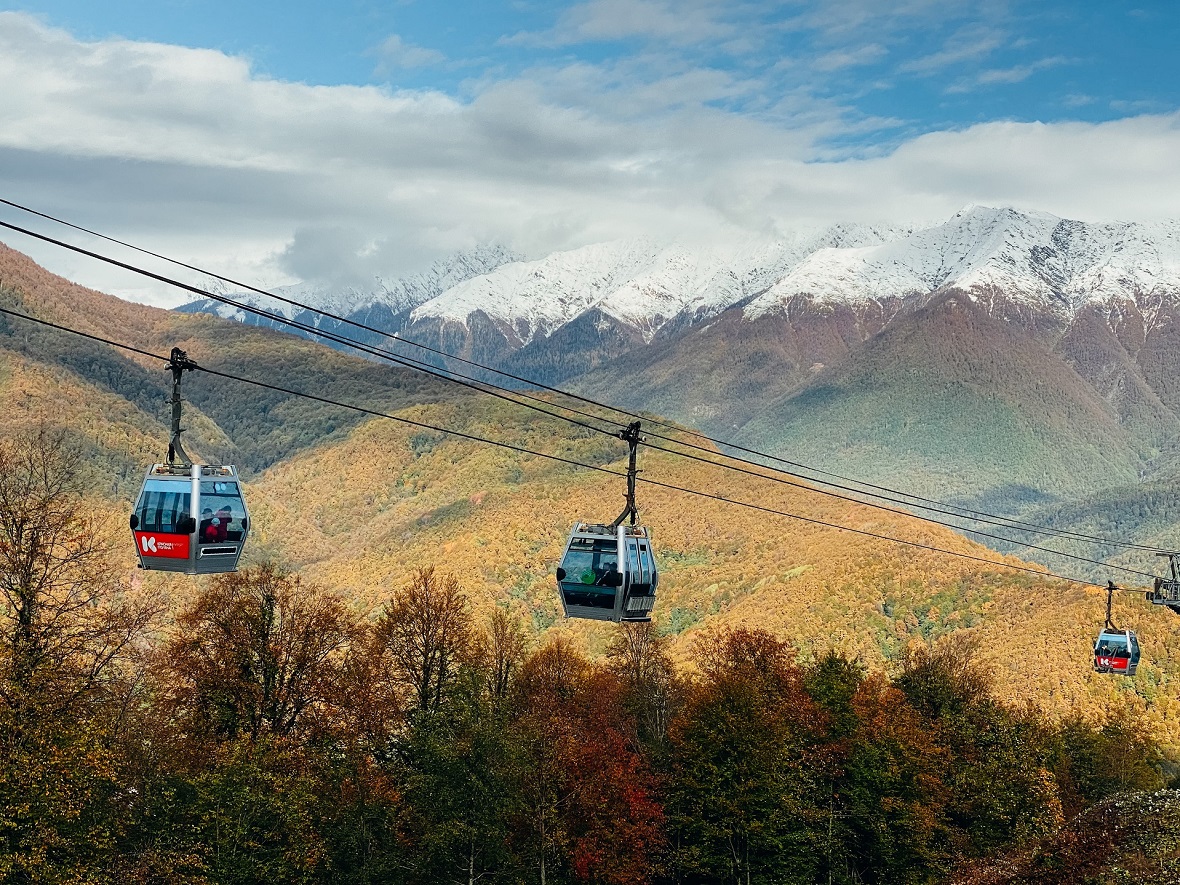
(362, 514)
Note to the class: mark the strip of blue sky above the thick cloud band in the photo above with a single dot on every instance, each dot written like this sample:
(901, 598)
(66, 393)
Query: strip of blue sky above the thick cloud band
(904, 68)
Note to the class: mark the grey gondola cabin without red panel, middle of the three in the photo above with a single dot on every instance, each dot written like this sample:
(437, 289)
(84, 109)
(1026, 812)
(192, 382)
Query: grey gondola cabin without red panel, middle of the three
(608, 574)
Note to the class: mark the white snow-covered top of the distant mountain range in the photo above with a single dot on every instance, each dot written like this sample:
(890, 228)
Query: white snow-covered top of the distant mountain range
(1050, 264)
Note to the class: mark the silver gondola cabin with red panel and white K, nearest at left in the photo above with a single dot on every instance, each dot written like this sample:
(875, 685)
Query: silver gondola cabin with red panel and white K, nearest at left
(191, 520)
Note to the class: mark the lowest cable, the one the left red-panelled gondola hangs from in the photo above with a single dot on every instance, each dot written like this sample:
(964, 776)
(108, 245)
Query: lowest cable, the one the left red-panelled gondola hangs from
(571, 462)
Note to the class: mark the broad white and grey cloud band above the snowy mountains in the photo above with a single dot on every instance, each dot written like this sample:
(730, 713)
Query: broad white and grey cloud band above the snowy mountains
(192, 154)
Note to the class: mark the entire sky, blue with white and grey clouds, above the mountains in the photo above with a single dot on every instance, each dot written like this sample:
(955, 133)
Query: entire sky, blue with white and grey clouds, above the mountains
(307, 141)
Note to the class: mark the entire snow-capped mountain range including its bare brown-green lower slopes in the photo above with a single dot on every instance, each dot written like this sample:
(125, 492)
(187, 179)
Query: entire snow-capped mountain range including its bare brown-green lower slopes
(1007, 359)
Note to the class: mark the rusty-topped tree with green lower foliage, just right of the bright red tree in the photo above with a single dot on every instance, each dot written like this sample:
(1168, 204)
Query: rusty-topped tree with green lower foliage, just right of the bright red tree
(745, 768)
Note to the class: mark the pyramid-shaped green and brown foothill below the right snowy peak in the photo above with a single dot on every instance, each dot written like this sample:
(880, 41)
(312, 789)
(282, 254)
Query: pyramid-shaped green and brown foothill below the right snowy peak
(959, 405)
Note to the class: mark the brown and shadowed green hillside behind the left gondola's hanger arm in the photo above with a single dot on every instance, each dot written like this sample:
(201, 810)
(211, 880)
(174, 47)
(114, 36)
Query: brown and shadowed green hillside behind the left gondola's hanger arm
(226, 421)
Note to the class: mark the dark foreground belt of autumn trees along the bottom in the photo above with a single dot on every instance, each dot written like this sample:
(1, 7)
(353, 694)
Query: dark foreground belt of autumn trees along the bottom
(270, 733)
